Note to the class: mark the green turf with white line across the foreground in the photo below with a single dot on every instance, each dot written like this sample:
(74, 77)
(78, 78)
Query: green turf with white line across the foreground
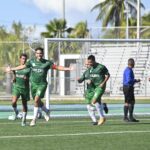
(75, 134)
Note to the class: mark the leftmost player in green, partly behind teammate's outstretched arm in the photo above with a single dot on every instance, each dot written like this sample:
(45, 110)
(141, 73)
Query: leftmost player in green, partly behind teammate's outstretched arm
(21, 88)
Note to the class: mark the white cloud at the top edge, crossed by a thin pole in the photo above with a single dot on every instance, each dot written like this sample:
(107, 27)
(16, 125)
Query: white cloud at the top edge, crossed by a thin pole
(48, 6)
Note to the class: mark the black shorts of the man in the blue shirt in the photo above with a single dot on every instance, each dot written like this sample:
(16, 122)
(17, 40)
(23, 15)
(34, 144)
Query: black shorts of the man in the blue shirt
(128, 92)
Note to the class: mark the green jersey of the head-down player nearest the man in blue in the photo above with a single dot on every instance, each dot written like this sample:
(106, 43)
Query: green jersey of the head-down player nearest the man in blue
(97, 73)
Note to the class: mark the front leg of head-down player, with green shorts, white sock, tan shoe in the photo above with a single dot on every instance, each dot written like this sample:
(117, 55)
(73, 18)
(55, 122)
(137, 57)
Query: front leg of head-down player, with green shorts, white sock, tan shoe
(97, 102)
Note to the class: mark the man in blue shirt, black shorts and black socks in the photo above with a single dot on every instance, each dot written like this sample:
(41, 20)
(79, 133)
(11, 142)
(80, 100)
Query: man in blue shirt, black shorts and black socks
(128, 90)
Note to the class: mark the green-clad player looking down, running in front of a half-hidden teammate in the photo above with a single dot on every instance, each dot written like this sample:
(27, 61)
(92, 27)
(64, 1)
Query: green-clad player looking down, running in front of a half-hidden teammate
(99, 75)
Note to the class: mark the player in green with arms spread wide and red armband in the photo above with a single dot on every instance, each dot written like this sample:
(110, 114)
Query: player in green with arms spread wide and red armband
(39, 68)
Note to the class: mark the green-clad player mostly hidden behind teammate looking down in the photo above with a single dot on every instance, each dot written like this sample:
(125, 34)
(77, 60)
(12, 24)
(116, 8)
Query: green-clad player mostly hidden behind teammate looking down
(89, 93)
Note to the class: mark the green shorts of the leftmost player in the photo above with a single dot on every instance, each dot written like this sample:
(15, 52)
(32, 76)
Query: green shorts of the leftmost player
(23, 92)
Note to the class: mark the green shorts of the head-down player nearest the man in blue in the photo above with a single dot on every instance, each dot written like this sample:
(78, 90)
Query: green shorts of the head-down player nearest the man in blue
(98, 93)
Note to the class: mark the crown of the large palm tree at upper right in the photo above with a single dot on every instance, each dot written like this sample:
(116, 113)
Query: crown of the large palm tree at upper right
(112, 11)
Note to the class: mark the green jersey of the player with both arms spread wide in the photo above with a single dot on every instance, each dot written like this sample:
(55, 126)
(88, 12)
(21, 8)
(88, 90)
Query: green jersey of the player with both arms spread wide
(39, 70)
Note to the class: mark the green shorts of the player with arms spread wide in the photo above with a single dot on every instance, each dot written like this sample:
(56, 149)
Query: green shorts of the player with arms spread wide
(38, 89)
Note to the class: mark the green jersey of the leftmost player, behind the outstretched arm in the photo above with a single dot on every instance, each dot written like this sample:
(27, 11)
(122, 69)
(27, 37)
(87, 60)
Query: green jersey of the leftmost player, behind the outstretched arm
(22, 78)
